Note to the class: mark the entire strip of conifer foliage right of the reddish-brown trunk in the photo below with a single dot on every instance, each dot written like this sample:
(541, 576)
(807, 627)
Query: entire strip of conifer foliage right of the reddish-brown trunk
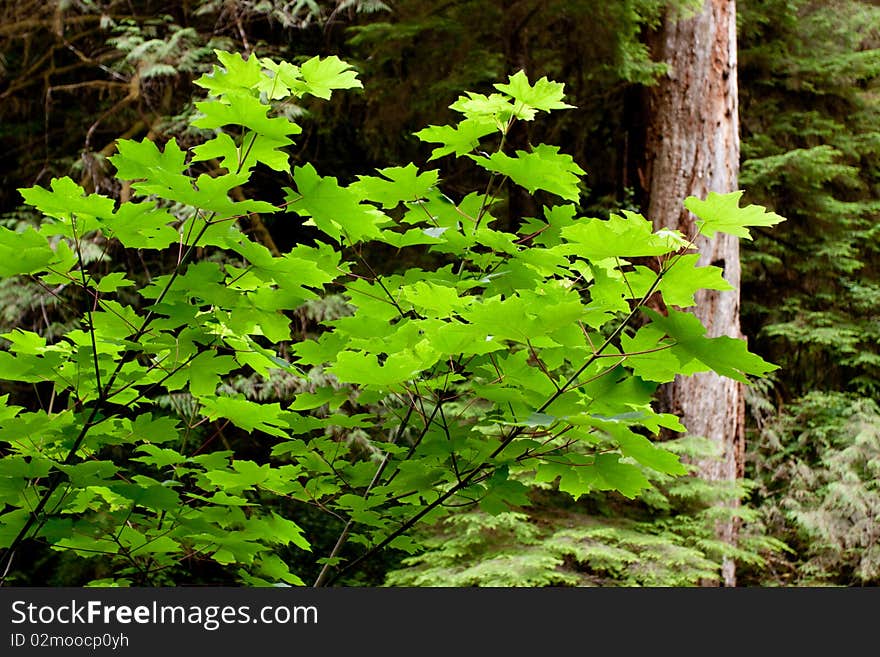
(809, 76)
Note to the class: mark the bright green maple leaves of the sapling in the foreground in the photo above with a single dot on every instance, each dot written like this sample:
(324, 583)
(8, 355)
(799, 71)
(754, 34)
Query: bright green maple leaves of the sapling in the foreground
(501, 365)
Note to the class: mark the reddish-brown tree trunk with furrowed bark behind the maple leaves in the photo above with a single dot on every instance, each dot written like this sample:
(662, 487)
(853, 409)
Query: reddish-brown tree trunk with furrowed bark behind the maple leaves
(692, 148)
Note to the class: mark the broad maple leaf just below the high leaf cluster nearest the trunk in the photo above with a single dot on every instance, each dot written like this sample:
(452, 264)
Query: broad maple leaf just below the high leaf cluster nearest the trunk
(544, 168)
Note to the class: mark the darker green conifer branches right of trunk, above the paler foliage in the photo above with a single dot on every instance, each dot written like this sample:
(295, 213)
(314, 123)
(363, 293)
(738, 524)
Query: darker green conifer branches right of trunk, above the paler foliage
(810, 73)
